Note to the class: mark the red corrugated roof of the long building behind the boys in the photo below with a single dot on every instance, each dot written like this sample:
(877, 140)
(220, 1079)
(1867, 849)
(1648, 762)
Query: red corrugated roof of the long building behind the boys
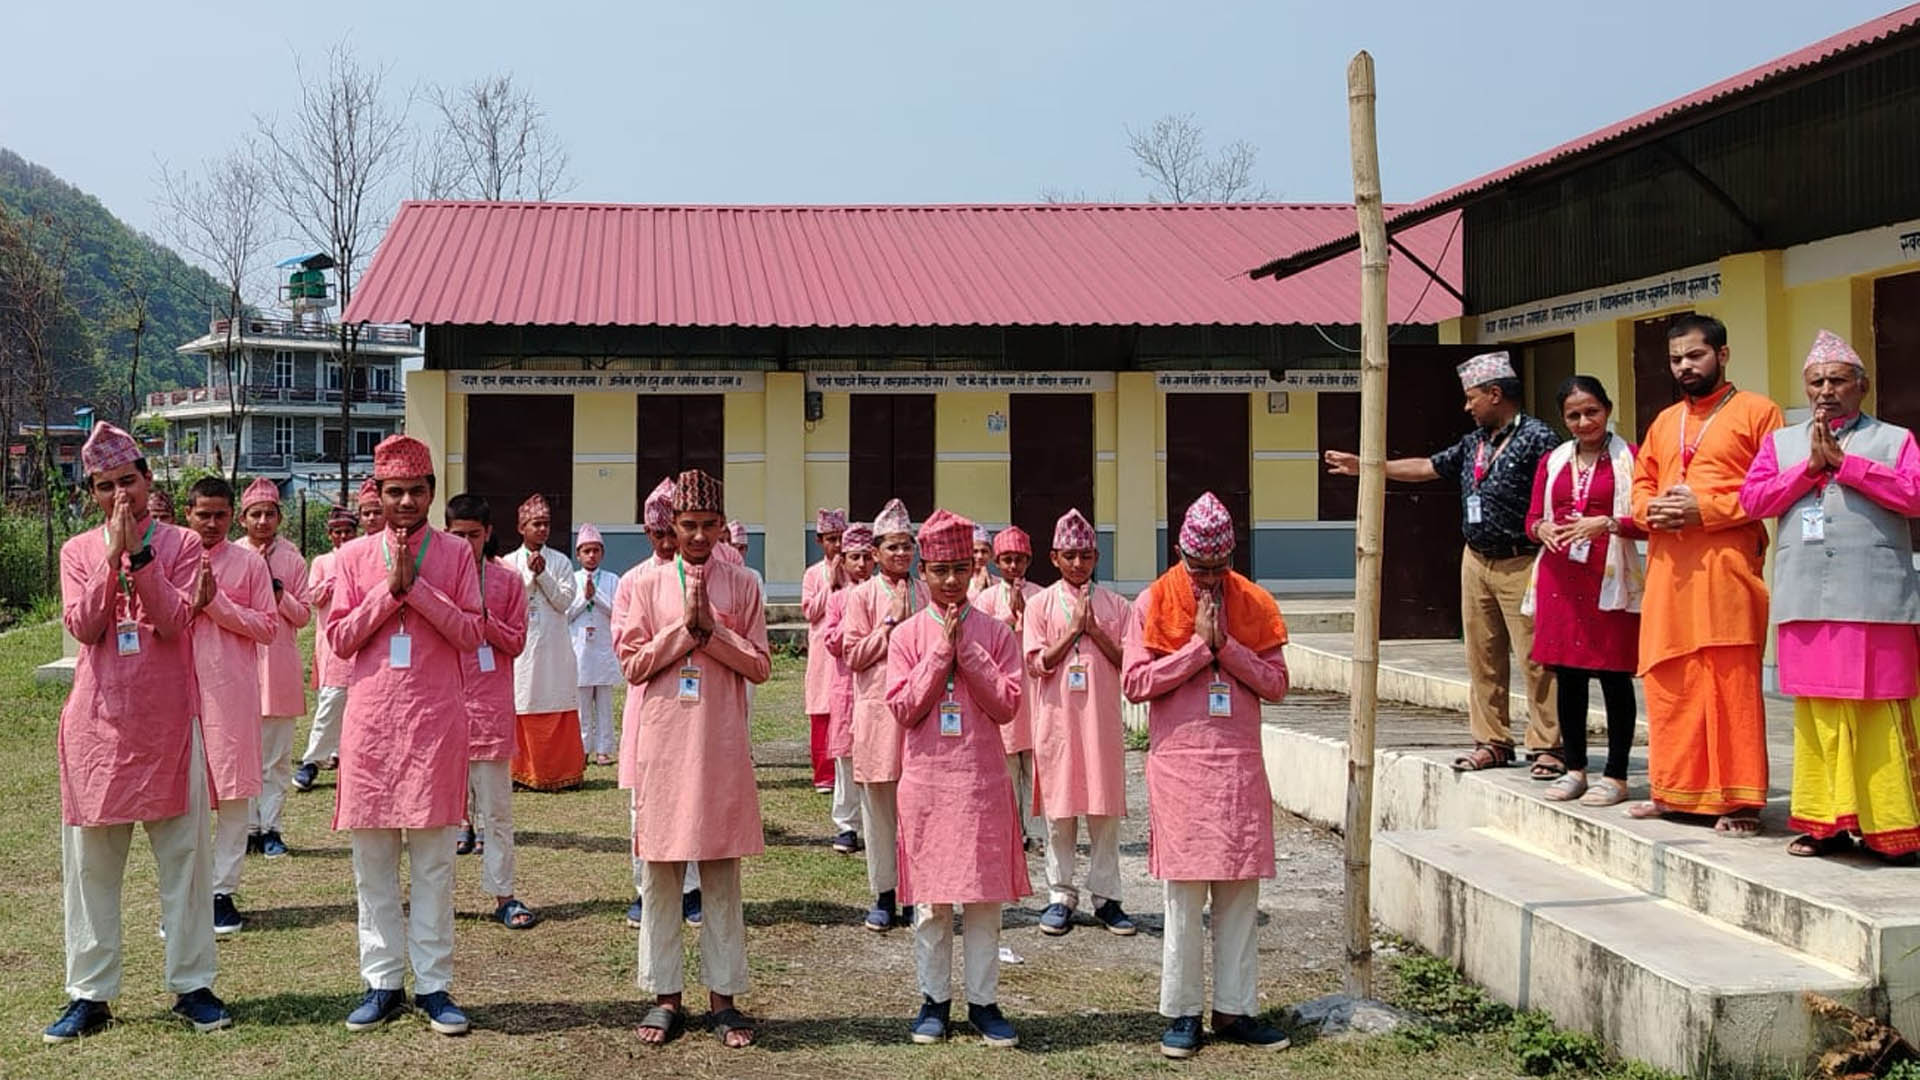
(873, 266)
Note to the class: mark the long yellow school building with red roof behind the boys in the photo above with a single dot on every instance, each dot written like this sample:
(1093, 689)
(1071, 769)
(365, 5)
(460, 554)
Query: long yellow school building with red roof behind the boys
(1005, 362)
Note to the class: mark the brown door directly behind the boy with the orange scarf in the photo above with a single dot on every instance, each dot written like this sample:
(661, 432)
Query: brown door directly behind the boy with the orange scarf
(1209, 453)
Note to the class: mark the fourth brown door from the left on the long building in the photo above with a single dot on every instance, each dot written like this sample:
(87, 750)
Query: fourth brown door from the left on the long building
(1051, 470)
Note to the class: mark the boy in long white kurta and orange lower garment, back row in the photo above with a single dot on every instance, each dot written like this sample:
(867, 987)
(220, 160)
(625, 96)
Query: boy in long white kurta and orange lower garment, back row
(548, 754)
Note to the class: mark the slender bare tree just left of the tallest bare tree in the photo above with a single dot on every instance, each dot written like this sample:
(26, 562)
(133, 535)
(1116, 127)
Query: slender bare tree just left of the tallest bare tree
(222, 218)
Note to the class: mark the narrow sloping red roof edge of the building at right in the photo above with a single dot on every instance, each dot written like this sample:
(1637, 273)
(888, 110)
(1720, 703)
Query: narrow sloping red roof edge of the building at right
(1750, 80)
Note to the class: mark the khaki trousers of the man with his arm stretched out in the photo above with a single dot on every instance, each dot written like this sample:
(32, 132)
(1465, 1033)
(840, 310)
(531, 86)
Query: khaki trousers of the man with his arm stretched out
(1491, 595)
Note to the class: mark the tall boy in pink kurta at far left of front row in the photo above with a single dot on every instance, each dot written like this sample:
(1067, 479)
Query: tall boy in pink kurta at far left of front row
(130, 745)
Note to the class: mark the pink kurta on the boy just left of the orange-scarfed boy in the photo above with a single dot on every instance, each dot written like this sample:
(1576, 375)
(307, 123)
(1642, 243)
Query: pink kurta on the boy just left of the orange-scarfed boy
(1080, 743)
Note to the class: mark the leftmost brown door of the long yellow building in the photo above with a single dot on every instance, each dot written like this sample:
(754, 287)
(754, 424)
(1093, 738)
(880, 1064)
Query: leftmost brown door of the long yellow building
(519, 445)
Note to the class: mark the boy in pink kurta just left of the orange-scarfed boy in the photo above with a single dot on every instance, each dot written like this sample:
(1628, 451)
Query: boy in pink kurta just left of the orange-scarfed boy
(1080, 743)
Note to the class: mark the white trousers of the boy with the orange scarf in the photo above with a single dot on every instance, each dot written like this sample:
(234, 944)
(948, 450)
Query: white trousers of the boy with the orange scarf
(1236, 954)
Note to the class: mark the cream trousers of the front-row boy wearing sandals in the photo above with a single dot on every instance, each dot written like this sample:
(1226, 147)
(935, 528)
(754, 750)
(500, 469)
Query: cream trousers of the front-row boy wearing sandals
(723, 929)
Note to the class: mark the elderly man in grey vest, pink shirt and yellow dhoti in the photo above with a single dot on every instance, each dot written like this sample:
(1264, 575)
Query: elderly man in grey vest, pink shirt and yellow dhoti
(1846, 601)
